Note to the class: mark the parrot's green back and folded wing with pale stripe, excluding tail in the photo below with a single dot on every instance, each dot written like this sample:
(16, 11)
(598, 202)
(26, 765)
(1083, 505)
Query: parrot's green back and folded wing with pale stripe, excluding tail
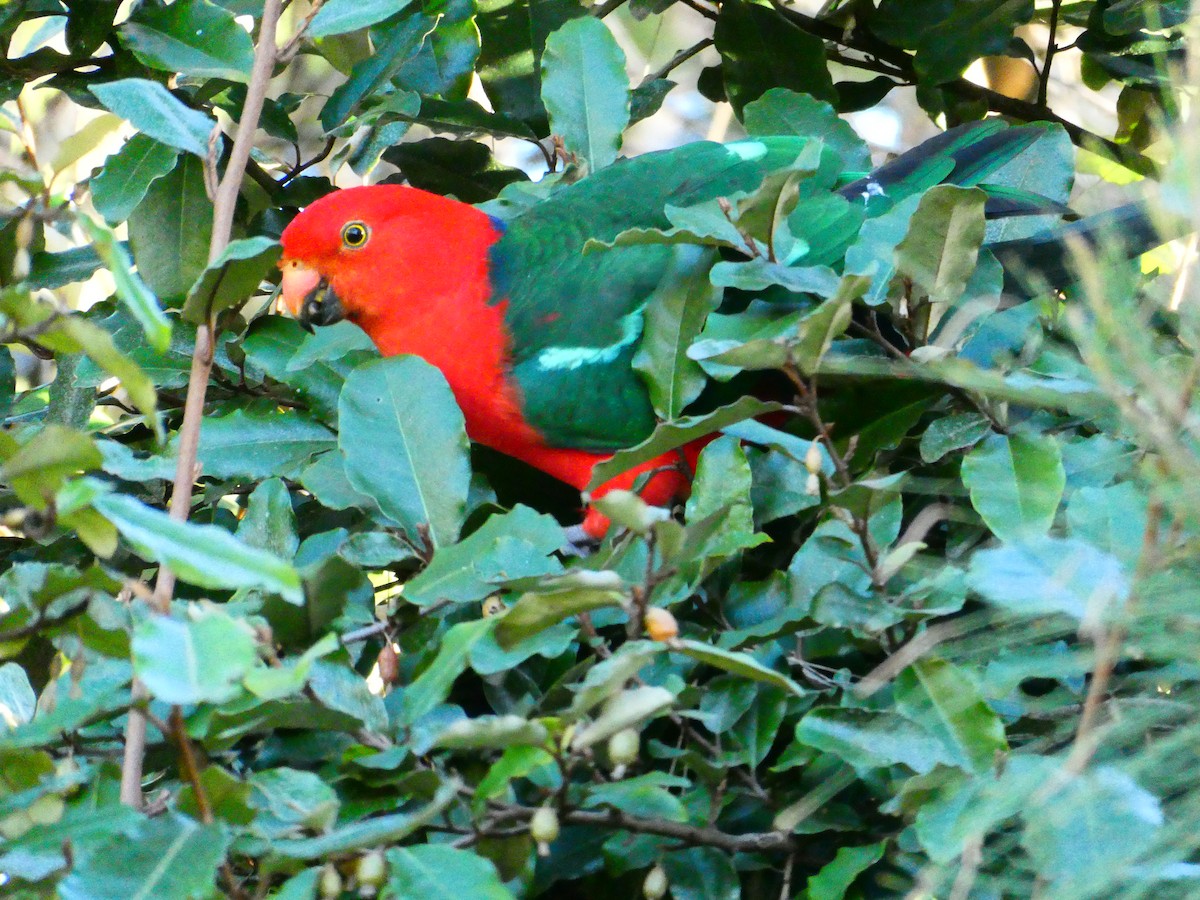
(575, 317)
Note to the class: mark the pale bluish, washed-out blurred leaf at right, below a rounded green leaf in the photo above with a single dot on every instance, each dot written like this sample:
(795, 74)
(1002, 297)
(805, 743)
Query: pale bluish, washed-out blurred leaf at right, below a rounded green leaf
(1046, 575)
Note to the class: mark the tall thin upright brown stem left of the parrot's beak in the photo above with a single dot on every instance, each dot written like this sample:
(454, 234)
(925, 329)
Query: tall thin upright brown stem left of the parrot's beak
(202, 365)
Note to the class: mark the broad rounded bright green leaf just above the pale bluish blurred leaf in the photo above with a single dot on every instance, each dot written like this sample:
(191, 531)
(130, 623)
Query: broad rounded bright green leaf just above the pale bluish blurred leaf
(1016, 484)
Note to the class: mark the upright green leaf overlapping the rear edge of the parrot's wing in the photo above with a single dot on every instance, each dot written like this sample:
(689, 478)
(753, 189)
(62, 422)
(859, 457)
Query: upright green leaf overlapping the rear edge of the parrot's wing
(674, 316)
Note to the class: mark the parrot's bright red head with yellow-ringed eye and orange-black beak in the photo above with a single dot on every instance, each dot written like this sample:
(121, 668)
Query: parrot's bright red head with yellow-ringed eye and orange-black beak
(362, 253)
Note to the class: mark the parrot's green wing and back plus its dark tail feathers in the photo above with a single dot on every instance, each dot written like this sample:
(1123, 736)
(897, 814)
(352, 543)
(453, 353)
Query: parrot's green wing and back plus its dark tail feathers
(575, 317)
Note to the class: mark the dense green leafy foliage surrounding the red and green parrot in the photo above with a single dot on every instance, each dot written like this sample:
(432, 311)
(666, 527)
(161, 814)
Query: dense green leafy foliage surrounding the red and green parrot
(938, 622)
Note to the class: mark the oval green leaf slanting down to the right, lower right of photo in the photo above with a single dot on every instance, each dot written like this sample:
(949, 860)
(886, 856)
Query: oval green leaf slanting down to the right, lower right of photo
(943, 699)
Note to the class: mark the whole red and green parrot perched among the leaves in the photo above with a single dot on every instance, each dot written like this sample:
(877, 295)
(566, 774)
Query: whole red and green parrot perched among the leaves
(536, 337)
